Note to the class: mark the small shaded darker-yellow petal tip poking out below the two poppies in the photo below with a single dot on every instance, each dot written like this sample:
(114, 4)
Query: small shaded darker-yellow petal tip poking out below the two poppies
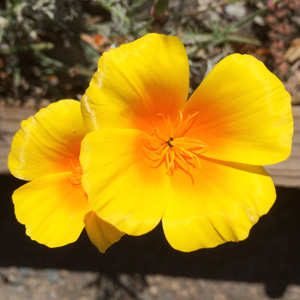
(101, 233)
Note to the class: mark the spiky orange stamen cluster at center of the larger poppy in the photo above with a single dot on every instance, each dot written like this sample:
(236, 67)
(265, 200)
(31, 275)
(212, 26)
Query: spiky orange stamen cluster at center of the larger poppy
(172, 147)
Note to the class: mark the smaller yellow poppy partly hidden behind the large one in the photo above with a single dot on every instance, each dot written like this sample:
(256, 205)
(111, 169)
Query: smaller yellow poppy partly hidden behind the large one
(53, 205)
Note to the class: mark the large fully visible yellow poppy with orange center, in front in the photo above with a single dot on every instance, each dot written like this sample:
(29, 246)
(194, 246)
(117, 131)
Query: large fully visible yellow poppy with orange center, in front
(196, 164)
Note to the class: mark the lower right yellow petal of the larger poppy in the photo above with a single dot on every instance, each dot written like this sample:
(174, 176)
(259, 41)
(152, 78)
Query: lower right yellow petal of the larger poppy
(222, 204)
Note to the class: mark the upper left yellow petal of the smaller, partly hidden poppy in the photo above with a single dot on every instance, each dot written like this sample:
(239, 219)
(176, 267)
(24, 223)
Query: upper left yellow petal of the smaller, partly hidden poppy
(48, 142)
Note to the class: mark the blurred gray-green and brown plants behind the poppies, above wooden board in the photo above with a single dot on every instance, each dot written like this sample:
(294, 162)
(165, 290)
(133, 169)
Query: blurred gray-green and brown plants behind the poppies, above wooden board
(49, 48)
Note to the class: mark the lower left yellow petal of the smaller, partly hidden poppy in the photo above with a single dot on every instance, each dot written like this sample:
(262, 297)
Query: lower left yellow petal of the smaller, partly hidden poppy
(52, 209)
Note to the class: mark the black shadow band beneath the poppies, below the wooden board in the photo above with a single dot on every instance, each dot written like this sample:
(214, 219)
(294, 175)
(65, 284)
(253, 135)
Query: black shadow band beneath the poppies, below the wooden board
(270, 255)
